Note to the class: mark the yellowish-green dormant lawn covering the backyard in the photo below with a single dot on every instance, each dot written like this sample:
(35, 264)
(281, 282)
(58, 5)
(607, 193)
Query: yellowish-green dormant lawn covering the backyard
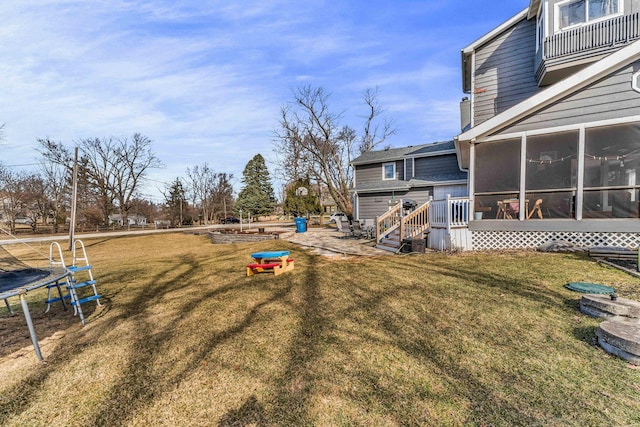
(185, 338)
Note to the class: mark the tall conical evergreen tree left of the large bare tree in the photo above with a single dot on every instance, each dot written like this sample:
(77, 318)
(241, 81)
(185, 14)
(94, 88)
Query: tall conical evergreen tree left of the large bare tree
(257, 196)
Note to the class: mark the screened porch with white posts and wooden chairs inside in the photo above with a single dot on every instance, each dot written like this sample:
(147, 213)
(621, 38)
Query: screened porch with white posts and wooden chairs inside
(588, 172)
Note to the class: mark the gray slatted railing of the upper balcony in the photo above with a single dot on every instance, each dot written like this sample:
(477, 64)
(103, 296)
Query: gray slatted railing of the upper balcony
(611, 32)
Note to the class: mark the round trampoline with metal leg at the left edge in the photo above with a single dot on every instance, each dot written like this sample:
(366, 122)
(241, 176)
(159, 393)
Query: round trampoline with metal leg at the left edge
(19, 282)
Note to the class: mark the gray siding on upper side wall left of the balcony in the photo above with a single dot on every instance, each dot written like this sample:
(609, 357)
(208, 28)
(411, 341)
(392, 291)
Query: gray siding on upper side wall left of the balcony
(504, 71)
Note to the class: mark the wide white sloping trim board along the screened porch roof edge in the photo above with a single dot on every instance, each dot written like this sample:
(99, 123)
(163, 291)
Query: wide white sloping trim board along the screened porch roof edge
(556, 92)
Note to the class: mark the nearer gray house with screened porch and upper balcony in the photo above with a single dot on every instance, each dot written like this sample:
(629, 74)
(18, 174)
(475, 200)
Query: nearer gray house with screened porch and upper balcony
(552, 132)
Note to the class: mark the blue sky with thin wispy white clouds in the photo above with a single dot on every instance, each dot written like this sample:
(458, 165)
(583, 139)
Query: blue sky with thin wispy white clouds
(205, 80)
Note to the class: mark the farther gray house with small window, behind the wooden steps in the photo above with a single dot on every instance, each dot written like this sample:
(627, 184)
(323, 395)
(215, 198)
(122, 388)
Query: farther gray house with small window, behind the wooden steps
(419, 173)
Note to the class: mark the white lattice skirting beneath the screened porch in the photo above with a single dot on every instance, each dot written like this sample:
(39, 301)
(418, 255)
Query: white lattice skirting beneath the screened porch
(483, 240)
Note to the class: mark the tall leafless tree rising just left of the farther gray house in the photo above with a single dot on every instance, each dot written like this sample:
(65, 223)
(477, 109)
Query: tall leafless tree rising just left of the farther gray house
(313, 144)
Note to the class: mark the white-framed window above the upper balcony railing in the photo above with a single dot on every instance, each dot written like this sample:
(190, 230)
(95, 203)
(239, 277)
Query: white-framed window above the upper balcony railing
(577, 12)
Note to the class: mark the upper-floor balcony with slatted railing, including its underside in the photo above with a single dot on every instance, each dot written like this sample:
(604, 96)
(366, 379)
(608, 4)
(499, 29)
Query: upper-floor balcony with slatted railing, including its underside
(566, 52)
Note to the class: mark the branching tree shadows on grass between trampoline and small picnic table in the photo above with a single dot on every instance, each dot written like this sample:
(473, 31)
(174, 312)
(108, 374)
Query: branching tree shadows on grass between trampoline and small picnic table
(138, 386)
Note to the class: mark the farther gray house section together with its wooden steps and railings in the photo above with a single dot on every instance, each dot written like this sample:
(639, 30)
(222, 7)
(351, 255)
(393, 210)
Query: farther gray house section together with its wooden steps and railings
(397, 189)
